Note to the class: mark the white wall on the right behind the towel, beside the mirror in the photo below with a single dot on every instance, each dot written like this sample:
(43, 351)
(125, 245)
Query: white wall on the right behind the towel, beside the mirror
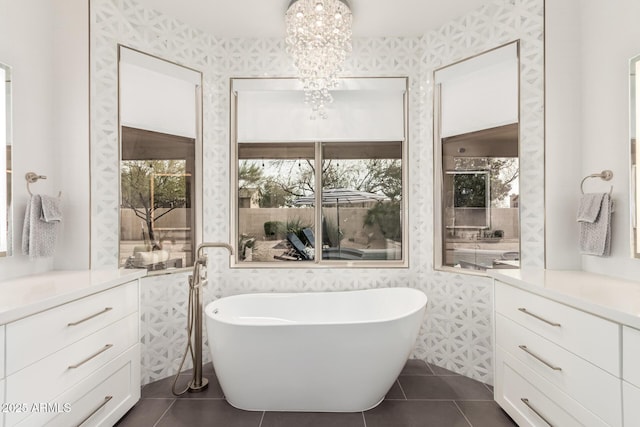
(610, 37)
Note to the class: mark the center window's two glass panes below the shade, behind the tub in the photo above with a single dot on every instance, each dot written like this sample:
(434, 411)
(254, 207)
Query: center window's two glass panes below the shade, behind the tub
(360, 216)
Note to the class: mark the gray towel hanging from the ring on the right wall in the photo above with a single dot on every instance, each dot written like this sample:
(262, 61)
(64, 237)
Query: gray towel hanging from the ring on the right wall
(595, 230)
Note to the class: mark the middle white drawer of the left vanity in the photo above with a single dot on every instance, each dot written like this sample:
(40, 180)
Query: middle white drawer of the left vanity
(48, 377)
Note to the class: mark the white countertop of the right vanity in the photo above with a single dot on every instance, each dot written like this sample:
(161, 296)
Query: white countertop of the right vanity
(613, 299)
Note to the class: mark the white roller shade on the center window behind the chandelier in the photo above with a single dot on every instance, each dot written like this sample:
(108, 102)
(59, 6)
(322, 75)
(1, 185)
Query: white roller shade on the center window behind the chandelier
(273, 110)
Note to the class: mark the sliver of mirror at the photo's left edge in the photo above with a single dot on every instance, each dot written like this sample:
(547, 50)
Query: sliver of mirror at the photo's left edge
(5, 162)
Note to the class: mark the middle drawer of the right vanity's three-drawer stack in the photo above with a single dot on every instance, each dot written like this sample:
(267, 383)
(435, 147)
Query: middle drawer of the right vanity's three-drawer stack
(563, 369)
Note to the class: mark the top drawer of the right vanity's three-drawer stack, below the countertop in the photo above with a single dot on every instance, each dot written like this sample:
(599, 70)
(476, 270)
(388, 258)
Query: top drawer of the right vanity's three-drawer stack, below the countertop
(563, 325)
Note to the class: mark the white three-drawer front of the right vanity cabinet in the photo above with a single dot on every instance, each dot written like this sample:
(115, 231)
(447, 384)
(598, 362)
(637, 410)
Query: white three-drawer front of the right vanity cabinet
(555, 364)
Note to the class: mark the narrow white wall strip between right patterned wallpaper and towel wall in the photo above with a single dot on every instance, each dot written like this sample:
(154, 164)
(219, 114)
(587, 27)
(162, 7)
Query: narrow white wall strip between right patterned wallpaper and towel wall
(563, 105)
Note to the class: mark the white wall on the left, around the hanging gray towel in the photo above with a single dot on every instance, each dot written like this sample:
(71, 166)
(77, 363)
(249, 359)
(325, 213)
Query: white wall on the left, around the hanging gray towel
(40, 40)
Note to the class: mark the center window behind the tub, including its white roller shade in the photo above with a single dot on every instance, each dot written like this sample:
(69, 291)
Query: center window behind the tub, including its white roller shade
(337, 200)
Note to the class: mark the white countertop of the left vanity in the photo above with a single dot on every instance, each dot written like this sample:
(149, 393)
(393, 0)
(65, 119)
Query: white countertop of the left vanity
(31, 294)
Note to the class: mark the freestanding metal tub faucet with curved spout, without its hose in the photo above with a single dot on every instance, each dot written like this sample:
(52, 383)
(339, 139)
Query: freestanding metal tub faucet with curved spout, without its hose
(196, 281)
